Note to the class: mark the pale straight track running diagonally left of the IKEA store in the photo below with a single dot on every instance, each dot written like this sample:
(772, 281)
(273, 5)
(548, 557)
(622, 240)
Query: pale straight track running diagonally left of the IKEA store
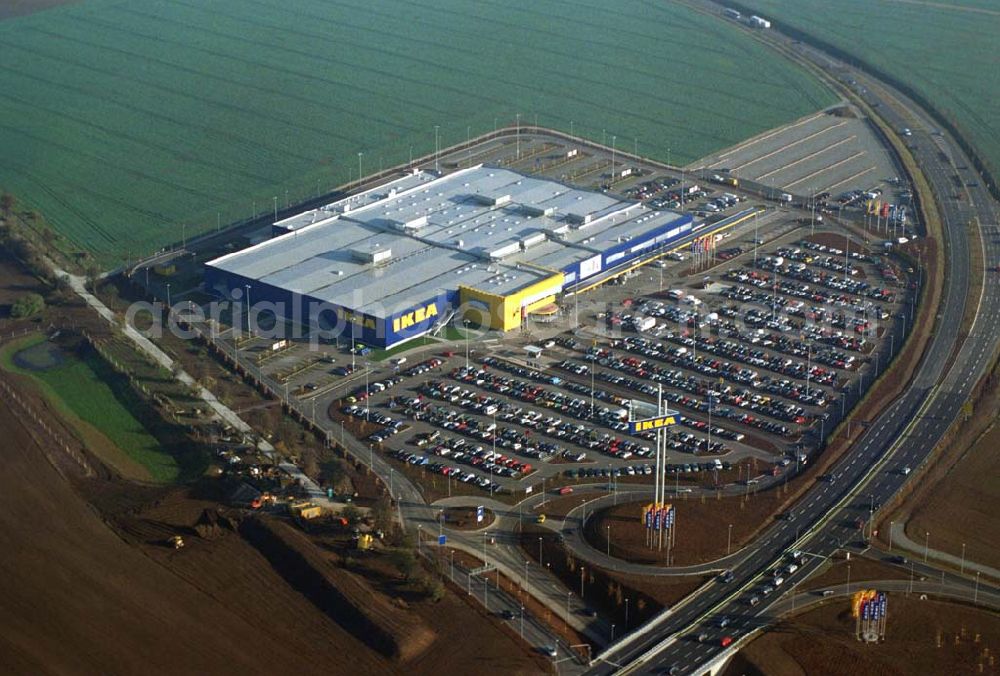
(78, 284)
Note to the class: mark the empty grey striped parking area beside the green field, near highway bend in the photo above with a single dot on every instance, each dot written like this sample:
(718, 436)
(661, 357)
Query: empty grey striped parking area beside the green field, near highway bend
(834, 151)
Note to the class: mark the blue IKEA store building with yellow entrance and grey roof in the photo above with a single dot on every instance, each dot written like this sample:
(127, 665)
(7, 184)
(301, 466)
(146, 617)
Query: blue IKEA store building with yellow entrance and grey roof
(397, 262)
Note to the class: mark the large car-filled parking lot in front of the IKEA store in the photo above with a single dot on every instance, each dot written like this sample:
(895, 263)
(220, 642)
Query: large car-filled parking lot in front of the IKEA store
(754, 359)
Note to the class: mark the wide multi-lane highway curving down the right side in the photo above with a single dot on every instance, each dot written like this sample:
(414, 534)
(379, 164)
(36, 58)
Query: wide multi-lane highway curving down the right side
(902, 436)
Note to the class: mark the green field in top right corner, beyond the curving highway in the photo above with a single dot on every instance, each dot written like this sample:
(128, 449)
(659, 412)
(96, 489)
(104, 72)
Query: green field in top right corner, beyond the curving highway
(946, 50)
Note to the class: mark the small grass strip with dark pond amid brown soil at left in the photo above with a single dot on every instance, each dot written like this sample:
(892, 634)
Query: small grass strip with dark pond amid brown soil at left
(79, 388)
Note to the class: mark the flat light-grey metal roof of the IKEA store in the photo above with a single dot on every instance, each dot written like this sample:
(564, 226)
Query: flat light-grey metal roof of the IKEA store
(451, 233)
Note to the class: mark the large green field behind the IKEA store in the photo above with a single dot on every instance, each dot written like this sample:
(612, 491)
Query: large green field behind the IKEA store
(121, 120)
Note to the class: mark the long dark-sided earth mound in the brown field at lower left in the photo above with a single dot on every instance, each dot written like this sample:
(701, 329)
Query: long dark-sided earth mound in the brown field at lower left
(345, 597)
